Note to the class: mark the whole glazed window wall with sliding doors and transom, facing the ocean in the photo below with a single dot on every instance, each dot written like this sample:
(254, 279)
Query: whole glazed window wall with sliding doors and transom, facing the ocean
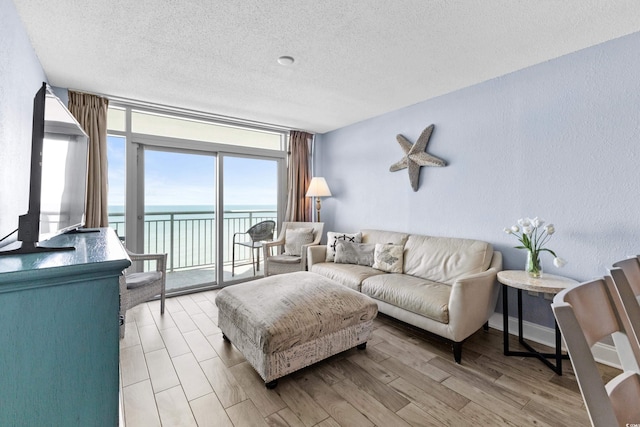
(184, 184)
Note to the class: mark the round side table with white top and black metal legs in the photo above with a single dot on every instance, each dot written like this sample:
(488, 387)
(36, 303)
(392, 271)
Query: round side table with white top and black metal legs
(548, 283)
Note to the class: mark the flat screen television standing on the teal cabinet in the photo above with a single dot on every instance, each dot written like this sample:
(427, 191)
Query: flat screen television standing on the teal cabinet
(58, 178)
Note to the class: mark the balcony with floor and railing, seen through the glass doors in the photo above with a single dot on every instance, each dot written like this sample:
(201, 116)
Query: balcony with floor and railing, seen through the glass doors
(189, 239)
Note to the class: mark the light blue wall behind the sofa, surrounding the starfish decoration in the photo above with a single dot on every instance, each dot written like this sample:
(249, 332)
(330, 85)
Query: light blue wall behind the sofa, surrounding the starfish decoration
(559, 140)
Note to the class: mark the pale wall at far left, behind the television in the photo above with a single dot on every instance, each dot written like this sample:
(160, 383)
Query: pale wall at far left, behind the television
(21, 76)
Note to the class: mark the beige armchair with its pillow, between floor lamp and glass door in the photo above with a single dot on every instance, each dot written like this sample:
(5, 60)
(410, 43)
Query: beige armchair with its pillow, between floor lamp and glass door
(289, 252)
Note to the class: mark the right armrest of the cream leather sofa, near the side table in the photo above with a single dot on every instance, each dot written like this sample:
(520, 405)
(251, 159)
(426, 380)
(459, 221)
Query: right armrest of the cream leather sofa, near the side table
(472, 301)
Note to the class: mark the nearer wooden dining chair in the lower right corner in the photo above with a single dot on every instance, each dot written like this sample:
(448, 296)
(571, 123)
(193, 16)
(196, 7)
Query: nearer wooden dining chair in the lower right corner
(586, 314)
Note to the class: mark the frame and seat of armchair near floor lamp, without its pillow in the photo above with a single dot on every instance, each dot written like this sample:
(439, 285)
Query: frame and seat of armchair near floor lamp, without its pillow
(280, 262)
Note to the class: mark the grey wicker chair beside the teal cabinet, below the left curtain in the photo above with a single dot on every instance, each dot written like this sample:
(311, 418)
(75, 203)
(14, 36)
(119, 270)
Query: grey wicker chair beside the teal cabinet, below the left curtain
(136, 288)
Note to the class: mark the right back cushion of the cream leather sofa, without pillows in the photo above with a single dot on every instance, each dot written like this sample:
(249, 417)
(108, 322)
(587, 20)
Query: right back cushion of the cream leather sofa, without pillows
(445, 259)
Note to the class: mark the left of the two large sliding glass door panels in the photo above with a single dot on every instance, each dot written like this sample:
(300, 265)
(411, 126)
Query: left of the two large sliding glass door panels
(179, 215)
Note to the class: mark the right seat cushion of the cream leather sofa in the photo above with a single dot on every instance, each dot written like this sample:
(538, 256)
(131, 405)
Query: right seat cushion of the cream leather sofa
(424, 297)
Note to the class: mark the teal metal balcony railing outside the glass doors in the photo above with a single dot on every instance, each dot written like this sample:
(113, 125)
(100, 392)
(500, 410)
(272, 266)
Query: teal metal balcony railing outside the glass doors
(189, 237)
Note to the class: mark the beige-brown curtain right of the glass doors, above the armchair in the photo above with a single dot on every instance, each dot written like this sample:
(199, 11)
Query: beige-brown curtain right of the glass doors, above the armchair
(298, 177)
